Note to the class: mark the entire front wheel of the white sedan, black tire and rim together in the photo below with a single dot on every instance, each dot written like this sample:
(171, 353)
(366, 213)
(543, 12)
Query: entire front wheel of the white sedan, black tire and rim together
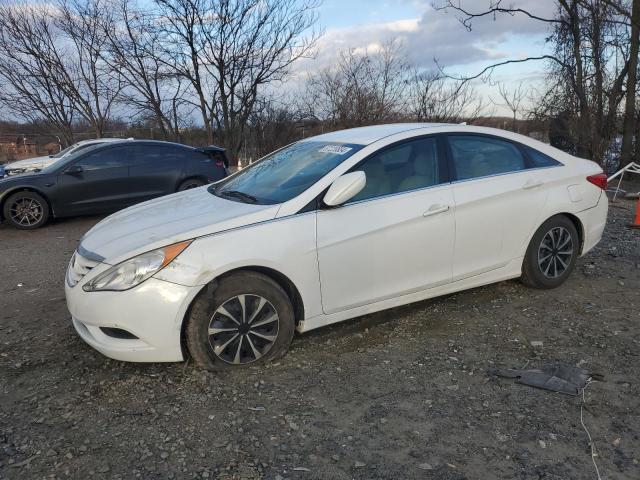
(235, 344)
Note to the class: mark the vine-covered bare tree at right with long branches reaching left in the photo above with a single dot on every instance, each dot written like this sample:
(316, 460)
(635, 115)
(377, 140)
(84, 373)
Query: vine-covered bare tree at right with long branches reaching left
(588, 39)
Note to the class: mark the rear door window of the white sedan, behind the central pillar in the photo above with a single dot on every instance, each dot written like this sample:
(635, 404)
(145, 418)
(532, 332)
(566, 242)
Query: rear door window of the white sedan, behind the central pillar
(476, 156)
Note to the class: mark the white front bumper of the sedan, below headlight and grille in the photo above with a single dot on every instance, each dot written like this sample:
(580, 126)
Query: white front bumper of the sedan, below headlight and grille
(152, 312)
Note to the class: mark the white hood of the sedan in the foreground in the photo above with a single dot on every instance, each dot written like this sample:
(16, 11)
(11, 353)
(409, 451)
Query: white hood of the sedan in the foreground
(170, 219)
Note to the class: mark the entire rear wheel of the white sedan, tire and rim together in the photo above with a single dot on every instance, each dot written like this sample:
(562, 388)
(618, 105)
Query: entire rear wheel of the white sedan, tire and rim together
(552, 254)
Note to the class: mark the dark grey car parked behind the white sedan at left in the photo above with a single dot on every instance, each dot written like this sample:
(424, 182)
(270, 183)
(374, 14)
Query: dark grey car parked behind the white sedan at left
(105, 178)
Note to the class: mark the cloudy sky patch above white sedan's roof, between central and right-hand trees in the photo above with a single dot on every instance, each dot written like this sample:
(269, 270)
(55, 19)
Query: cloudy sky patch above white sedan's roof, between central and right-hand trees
(426, 33)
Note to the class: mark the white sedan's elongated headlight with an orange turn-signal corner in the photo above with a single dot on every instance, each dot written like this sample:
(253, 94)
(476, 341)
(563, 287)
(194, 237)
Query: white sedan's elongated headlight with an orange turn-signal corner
(136, 270)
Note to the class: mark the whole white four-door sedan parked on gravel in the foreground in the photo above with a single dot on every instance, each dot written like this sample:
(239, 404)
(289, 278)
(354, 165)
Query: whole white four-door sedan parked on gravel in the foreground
(326, 229)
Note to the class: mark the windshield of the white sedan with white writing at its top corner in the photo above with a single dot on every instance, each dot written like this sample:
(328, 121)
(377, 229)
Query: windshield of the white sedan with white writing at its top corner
(286, 173)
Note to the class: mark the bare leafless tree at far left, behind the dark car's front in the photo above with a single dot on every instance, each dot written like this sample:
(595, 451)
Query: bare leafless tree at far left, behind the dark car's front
(50, 62)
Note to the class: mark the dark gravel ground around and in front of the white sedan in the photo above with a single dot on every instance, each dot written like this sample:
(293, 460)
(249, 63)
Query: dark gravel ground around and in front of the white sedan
(398, 394)
